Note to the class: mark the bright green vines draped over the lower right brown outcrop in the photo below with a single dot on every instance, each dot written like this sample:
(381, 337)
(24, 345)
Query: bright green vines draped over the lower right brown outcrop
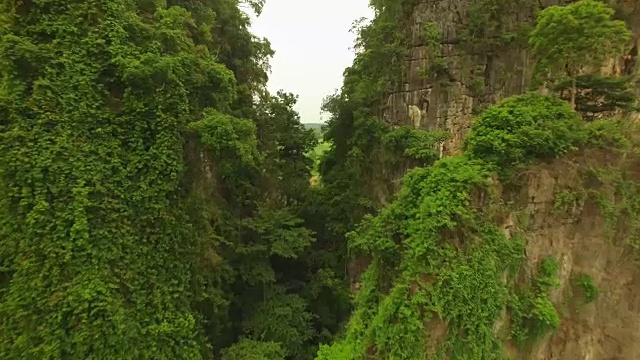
(457, 280)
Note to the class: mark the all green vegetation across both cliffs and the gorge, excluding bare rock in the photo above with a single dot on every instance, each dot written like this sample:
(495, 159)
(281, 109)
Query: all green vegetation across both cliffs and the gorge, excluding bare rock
(158, 202)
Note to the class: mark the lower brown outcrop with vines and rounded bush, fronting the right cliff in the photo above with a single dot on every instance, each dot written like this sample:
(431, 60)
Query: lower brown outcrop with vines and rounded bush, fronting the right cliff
(477, 258)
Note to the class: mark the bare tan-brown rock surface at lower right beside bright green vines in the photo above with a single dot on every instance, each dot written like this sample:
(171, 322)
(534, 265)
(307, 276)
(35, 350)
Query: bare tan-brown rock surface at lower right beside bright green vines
(574, 234)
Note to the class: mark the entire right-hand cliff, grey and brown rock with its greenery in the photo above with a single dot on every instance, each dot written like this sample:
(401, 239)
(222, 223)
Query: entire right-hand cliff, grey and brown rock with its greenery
(521, 245)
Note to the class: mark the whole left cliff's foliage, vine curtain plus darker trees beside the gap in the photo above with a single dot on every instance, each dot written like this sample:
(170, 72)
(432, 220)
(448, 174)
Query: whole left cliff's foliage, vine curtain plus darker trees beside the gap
(152, 192)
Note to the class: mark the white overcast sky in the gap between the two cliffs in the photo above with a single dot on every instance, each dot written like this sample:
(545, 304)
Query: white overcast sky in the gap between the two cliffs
(313, 45)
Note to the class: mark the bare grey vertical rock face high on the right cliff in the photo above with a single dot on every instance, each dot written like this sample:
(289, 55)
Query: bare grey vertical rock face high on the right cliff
(477, 69)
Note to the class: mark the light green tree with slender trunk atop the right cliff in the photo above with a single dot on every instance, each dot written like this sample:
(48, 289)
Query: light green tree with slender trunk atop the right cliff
(569, 38)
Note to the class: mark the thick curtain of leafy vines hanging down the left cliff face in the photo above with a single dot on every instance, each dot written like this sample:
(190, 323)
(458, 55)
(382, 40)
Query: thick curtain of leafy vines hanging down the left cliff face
(95, 235)
